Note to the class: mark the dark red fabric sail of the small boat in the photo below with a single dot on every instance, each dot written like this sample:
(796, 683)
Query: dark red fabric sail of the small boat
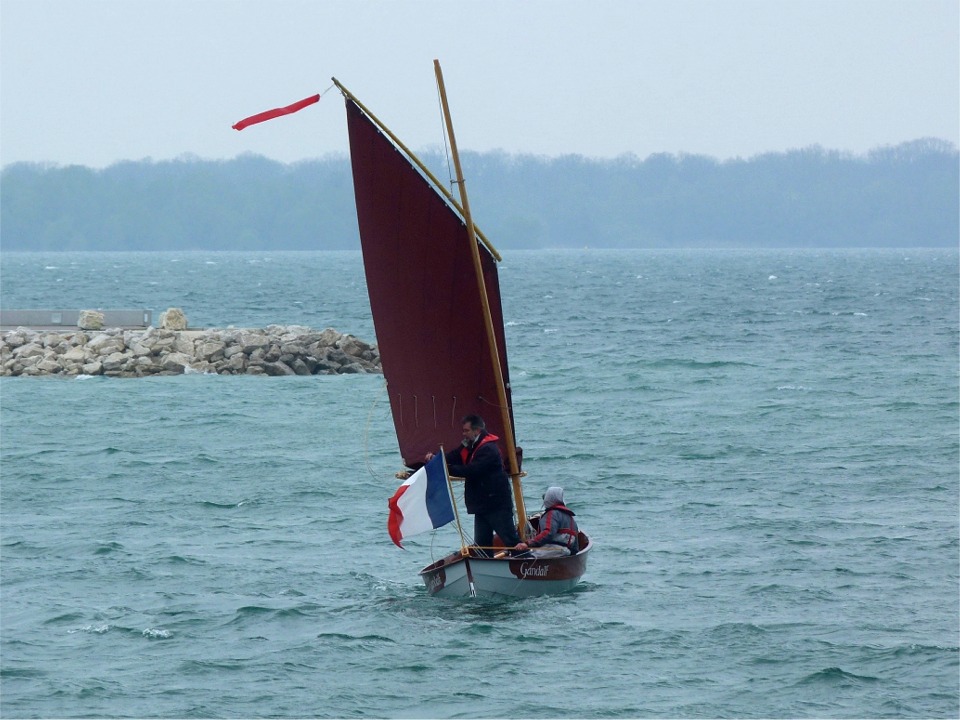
(424, 296)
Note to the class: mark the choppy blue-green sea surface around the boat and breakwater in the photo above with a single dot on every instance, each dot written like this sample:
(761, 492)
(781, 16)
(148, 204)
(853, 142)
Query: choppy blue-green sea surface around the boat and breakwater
(763, 446)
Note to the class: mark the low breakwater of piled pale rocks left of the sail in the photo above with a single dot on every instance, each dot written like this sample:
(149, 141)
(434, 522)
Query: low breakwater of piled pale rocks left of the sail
(275, 350)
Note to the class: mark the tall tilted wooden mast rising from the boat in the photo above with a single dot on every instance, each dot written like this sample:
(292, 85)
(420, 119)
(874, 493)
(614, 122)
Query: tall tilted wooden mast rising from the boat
(487, 319)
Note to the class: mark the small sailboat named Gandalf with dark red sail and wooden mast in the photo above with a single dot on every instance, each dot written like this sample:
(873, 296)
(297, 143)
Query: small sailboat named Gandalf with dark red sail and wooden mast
(435, 298)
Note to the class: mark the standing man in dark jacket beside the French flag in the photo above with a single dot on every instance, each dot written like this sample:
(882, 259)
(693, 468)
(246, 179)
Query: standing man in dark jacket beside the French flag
(486, 493)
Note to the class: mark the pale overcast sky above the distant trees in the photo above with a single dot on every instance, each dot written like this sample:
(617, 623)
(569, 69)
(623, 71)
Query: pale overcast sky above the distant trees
(93, 82)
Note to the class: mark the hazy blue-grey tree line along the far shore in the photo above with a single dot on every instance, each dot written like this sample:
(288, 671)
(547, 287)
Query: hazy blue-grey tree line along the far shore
(899, 196)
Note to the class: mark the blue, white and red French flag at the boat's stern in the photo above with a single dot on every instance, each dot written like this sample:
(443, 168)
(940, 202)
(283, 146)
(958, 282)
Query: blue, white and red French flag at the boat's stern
(422, 503)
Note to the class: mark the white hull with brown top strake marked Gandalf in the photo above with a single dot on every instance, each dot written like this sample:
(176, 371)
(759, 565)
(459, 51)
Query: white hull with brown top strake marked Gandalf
(458, 576)
